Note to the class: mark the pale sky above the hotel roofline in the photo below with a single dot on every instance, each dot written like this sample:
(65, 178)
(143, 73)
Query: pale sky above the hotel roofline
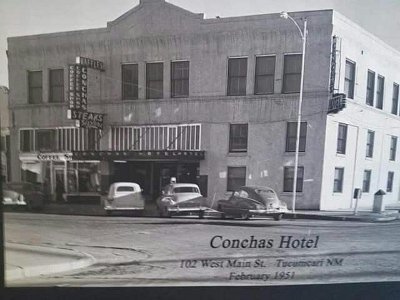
(27, 17)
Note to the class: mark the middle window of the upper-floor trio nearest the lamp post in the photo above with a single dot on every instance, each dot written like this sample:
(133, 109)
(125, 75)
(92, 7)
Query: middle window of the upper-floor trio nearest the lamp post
(265, 75)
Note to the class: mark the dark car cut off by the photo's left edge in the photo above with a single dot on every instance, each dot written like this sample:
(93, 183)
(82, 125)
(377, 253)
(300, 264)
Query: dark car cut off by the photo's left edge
(23, 194)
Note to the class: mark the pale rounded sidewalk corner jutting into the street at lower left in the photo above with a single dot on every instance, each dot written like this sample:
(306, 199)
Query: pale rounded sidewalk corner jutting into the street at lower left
(22, 261)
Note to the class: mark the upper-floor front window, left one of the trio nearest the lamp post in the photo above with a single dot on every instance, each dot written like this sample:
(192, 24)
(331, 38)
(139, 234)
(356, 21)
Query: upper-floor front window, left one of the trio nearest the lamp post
(237, 76)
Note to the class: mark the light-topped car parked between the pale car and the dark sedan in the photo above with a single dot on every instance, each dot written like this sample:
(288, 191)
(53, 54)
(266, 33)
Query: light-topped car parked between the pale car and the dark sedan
(181, 198)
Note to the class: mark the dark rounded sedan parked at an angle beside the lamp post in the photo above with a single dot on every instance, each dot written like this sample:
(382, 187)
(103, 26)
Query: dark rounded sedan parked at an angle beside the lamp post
(248, 201)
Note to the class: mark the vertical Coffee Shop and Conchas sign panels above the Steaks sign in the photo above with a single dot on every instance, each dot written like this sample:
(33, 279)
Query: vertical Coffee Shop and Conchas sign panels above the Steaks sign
(77, 92)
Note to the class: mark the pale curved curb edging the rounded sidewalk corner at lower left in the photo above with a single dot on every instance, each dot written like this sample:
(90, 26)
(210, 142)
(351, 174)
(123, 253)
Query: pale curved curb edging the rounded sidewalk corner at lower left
(78, 260)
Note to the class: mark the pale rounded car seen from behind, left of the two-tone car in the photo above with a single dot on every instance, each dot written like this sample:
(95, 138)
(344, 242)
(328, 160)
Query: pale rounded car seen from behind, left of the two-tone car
(124, 196)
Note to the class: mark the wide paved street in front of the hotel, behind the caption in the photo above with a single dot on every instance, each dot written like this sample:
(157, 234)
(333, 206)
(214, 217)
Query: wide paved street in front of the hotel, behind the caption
(153, 251)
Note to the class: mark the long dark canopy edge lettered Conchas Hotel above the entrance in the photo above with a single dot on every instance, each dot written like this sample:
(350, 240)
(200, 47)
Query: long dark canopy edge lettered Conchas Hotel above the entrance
(144, 154)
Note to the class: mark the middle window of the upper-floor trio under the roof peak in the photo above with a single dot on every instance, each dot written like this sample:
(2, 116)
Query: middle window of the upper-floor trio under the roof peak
(154, 80)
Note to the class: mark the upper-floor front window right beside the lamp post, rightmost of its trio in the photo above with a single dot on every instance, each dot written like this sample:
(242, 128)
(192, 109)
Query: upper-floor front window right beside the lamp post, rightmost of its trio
(292, 73)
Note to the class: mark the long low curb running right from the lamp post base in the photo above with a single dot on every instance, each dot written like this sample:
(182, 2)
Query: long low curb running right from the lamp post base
(351, 218)
